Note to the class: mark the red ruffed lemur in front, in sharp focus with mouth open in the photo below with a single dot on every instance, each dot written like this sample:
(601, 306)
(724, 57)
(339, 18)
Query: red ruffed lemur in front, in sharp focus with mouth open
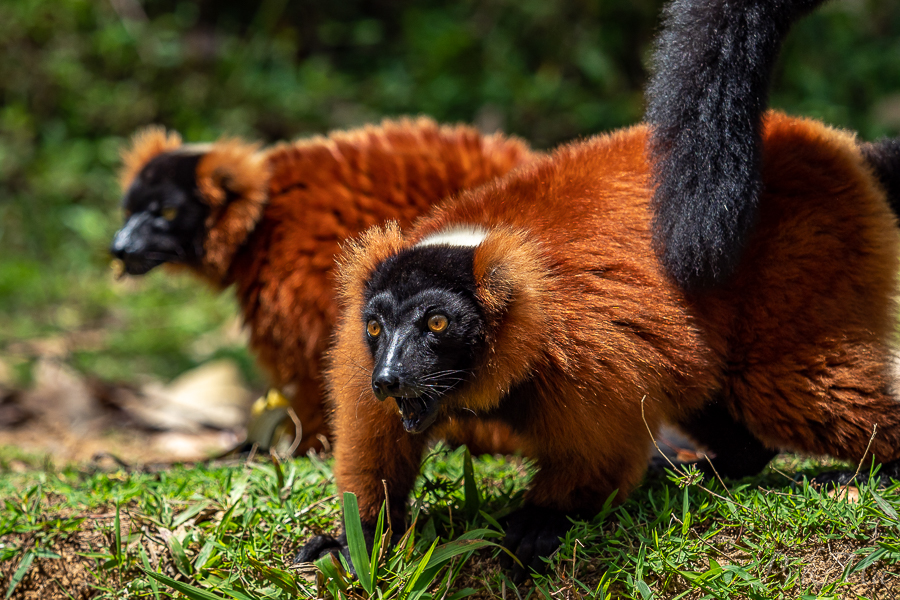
(539, 300)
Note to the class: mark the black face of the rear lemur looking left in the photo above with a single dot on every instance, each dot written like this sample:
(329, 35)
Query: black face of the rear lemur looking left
(165, 216)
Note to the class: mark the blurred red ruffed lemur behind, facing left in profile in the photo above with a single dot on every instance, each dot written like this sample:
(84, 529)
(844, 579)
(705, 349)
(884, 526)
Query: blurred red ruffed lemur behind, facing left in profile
(270, 223)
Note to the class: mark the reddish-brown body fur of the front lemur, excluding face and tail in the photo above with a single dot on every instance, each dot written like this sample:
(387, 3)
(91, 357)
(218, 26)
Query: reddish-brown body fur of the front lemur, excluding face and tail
(580, 313)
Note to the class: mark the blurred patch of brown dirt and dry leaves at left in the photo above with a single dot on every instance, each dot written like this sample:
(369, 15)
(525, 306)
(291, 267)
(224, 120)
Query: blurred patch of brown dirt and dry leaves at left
(67, 418)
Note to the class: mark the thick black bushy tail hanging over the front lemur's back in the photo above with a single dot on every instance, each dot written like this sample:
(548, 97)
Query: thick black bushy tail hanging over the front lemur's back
(712, 65)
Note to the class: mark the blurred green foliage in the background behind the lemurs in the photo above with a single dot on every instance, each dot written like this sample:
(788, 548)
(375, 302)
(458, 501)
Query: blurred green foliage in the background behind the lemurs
(77, 77)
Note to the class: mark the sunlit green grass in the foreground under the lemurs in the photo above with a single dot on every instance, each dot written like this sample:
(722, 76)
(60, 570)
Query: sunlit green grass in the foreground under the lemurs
(228, 531)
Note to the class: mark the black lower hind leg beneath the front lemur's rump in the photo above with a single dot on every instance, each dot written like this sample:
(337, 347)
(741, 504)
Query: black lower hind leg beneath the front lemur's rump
(738, 453)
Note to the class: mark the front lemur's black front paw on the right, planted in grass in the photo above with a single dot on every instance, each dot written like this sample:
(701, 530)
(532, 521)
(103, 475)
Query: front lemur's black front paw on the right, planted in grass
(532, 533)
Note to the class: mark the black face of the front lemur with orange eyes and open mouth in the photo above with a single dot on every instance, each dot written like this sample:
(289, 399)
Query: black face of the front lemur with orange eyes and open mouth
(424, 327)
